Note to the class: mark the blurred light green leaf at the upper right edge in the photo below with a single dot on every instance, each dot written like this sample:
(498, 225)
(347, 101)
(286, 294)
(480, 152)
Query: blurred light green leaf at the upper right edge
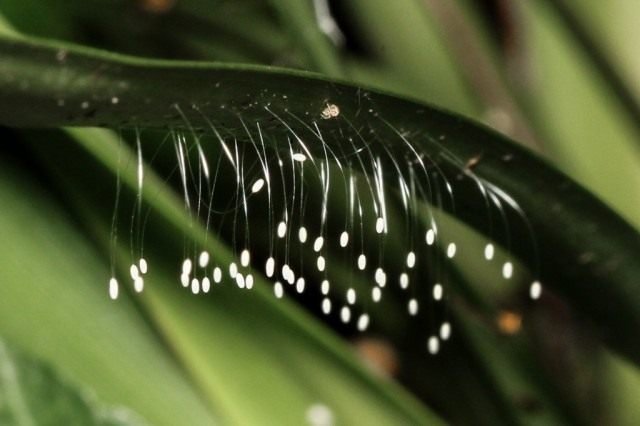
(589, 135)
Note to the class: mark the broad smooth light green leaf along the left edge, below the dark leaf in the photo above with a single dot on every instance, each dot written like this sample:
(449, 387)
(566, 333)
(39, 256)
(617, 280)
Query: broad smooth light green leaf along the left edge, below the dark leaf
(54, 305)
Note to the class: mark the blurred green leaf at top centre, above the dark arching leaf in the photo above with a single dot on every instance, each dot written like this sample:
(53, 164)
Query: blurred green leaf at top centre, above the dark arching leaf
(405, 41)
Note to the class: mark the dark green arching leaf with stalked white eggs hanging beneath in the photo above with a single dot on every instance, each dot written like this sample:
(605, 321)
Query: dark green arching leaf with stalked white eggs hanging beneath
(584, 251)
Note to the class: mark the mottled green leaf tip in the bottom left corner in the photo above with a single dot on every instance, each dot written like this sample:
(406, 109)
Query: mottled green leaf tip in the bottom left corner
(32, 393)
